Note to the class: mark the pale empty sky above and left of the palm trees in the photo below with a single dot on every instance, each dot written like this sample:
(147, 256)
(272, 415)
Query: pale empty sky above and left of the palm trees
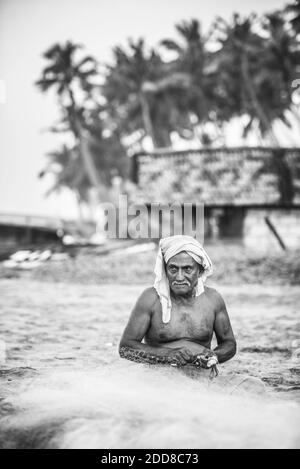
(29, 27)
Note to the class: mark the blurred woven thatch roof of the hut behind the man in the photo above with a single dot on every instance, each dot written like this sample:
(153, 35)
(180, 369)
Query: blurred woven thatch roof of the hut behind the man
(228, 181)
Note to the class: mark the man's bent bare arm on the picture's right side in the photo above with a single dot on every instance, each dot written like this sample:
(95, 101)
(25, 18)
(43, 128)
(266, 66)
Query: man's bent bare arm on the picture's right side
(226, 348)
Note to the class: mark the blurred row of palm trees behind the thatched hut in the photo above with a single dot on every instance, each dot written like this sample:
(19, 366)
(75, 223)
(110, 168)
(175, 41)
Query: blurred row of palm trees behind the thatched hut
(242, 67)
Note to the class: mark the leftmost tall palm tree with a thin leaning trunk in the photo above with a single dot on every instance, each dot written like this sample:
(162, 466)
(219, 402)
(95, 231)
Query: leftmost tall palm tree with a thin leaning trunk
(67, 76)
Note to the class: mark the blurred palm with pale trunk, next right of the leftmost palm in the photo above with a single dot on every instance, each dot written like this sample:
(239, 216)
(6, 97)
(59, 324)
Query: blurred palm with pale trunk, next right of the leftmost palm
(140, 89)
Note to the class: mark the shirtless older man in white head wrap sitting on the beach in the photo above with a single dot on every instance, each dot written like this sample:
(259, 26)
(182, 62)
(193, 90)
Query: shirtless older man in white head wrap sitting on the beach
(173, 322)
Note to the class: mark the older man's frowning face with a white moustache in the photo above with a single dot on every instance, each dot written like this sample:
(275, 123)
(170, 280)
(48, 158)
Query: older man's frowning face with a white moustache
(182, 272)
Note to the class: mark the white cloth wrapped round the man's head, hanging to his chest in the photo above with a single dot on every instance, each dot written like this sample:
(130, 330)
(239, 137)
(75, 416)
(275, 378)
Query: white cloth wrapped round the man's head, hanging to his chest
(169, 247)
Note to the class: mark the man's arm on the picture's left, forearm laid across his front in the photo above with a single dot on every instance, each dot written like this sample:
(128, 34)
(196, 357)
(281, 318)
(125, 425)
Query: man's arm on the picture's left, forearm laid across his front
(131, 346)
